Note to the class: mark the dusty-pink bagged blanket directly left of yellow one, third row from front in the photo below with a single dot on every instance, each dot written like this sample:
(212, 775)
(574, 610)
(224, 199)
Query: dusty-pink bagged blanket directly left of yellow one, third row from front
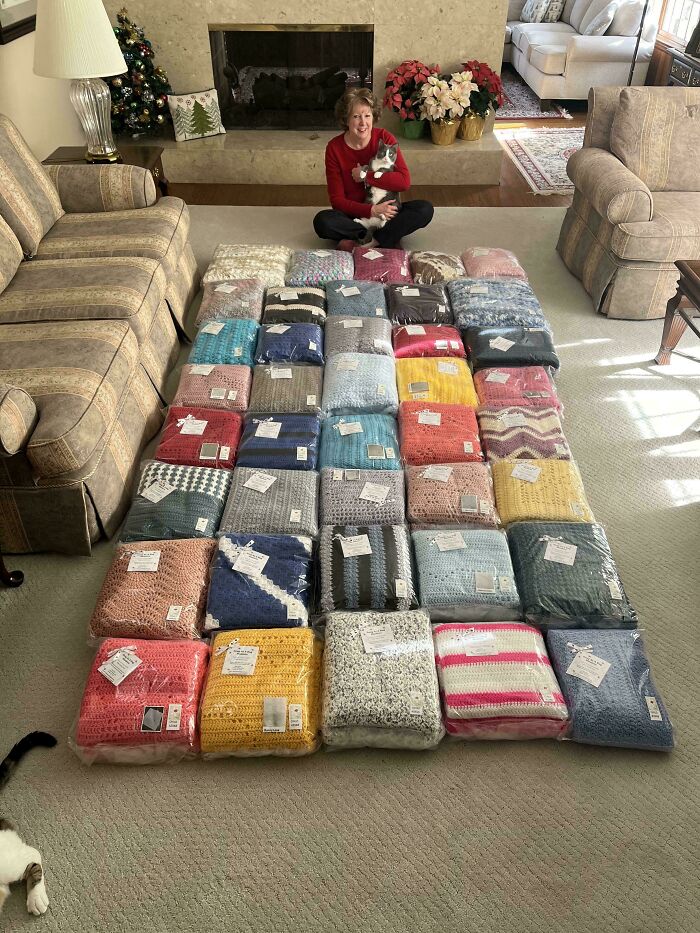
(451, 494)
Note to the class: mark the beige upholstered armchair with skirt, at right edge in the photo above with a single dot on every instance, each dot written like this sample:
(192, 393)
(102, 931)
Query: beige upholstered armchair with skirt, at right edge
(636, 206)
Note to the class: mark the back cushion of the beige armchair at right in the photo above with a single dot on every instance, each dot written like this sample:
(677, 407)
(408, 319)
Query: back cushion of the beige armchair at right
(652, 134)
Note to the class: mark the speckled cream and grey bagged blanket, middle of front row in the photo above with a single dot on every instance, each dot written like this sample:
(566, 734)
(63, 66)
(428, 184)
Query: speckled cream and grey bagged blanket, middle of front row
(380, 686)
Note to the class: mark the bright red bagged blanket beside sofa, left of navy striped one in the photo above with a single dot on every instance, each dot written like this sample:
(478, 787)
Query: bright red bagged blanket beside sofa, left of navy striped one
(200, 437)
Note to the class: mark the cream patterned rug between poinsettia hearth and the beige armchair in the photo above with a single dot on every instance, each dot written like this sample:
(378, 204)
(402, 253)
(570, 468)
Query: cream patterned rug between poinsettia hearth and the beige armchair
(541, 155)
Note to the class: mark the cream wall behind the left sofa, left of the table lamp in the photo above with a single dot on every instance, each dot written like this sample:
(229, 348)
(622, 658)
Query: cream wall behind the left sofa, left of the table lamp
(39, 107)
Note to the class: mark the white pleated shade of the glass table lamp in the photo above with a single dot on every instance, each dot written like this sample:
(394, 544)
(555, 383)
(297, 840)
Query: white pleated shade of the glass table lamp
(74, 39)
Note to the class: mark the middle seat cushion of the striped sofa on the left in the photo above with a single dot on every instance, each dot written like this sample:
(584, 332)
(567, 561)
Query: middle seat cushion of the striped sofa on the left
(111, 288)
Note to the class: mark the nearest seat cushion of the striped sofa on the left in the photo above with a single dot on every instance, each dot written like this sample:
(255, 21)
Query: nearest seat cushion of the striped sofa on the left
(77, 373)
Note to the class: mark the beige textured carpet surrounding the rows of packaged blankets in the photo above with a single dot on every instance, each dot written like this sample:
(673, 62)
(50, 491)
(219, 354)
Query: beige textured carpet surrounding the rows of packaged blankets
(537, 837)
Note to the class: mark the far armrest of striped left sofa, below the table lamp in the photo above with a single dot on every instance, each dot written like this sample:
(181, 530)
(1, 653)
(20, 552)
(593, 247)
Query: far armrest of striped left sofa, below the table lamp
(94, 188)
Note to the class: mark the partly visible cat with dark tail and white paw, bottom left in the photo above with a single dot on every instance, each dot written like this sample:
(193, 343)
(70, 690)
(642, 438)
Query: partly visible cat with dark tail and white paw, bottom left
(18, 861)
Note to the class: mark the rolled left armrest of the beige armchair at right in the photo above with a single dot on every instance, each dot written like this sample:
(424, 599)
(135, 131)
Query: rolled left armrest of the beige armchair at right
(615, 192)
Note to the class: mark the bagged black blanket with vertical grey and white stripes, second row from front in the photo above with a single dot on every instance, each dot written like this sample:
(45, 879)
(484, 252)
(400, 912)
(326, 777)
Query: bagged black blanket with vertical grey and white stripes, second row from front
(366, 567)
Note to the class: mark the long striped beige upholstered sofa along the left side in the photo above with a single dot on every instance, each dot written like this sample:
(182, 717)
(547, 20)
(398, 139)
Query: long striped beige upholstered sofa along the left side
(95, 279)
